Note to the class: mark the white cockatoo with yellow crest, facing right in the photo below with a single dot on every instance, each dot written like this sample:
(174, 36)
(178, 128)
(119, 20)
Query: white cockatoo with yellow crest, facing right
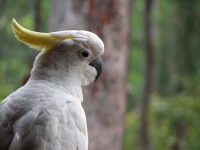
(46, 113)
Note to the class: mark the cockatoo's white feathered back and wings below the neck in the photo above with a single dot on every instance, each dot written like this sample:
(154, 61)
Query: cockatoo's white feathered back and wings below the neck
(34, 119)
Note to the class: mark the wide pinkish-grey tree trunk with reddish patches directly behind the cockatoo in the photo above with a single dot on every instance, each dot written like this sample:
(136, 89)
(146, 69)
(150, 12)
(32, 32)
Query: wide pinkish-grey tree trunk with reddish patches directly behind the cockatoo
(105, 100)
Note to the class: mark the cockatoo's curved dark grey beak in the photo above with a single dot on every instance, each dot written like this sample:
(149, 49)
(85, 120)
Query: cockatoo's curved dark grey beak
(98, 64)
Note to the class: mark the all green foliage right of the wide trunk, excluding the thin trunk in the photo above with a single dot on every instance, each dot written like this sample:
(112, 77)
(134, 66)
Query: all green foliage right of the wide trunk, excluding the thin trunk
(175, 109)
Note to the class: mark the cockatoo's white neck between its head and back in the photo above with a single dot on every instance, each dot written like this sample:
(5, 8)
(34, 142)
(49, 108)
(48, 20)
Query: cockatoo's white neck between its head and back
(61, 79)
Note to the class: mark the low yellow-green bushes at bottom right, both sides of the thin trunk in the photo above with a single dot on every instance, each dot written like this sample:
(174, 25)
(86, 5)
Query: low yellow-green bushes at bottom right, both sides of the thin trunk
(172, 120)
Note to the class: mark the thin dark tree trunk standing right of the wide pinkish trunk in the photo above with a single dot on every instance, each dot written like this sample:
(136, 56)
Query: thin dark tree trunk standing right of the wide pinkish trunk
(144, 142)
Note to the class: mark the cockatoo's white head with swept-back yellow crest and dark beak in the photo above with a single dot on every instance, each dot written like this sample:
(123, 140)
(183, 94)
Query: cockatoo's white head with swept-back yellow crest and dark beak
(71, 55)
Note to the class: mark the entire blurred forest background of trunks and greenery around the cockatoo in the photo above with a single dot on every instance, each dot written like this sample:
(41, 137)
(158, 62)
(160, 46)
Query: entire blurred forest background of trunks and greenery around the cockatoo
(148, 97)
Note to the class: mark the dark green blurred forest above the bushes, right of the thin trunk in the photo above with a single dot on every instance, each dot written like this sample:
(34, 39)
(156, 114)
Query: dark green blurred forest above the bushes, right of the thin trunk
(178, 54)
